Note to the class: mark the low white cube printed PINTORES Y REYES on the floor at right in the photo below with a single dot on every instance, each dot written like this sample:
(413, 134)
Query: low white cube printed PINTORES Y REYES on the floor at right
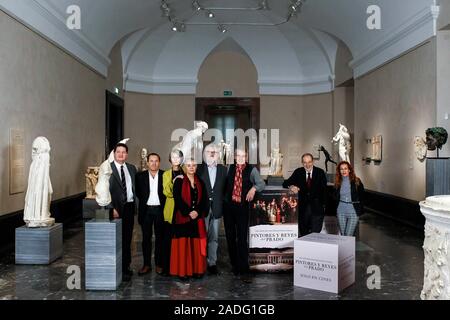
(324, 262)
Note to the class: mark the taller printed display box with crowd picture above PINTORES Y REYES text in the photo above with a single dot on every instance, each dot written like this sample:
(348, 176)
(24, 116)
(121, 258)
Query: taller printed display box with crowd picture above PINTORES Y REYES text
(273, 229)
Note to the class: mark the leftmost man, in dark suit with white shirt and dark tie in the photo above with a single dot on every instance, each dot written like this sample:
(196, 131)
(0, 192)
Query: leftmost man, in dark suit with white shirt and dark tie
(121, 186)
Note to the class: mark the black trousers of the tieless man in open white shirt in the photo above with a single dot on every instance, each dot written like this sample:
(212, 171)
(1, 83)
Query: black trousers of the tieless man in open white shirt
(153, 219)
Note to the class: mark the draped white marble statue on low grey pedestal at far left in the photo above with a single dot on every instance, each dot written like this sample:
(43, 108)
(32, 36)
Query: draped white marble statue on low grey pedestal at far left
(39, 192)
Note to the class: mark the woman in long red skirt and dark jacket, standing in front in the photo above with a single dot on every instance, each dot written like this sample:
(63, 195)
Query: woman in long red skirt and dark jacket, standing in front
(188, 253)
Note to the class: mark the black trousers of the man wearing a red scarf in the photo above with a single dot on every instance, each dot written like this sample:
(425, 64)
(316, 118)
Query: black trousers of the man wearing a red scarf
(235, 219)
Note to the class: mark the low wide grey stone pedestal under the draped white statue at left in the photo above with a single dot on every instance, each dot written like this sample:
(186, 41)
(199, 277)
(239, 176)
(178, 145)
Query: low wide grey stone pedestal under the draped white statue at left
(39, 245)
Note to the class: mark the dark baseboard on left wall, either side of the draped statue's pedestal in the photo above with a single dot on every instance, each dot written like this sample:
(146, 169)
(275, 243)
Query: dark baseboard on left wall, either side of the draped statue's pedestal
(66, 211)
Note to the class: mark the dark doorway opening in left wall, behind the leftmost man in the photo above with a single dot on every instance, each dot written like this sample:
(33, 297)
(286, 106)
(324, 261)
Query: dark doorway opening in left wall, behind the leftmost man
(114, 121)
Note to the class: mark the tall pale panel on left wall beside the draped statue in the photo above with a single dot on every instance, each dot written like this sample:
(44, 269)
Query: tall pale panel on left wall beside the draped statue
(16, 161)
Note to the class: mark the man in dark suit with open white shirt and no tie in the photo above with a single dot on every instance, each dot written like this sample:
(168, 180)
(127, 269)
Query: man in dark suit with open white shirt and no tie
(149, 190)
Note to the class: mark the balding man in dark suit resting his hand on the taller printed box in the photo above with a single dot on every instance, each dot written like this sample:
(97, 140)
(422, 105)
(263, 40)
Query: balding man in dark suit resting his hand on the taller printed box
(310, 183)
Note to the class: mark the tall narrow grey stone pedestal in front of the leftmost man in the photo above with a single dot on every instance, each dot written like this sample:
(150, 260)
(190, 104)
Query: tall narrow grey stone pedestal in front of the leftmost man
(103, 254)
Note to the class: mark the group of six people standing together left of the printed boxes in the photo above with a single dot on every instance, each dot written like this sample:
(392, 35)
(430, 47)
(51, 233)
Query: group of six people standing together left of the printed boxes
(183, 206)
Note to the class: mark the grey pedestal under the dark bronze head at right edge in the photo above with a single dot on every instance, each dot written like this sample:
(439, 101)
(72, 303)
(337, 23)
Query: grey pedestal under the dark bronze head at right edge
(438, 176)
